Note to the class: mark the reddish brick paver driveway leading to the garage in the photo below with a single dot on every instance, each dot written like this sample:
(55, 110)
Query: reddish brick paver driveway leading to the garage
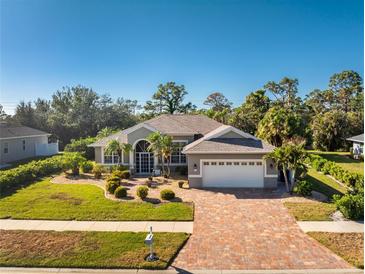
(238, 229)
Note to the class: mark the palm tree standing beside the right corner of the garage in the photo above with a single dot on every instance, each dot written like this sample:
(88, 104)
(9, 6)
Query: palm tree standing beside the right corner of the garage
(288, 157)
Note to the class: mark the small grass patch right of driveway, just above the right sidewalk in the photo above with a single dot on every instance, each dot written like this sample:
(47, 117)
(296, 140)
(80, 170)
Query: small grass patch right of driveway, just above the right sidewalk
(311, 211)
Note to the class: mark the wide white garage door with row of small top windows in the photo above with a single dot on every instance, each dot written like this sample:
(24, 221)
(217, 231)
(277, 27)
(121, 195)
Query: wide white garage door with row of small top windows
(230, 173)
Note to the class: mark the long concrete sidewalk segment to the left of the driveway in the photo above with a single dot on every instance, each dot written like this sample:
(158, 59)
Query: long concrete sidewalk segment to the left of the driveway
(9, 224)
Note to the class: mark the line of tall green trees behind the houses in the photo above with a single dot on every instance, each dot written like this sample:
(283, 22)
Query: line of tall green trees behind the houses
(323, 119)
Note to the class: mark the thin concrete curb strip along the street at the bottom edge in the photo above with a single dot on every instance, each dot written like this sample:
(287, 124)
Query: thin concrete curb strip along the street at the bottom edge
(21, 270)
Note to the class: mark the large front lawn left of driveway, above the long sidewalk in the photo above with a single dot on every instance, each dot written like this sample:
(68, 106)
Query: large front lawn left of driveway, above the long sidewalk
(44, 200)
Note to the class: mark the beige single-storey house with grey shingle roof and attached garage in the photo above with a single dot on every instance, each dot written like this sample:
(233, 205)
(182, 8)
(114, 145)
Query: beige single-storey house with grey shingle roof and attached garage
(216, 155)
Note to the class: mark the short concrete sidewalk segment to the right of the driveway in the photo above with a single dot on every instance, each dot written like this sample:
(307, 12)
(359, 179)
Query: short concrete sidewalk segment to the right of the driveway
(343, 226)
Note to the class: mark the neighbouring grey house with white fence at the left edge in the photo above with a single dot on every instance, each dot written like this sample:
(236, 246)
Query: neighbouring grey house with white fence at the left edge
(20, 142)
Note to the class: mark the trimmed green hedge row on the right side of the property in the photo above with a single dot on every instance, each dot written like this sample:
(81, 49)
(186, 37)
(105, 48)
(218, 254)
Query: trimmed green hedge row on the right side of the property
(353, 180)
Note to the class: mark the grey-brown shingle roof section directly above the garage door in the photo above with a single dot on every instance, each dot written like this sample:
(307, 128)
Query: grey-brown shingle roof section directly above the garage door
(231, 145)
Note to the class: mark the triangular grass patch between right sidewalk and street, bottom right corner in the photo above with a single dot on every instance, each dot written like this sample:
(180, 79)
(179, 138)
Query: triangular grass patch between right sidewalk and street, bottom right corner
(349, 246)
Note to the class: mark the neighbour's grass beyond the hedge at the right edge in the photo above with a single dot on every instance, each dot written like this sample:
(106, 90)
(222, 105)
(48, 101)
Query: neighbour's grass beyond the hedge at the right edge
(342, 159)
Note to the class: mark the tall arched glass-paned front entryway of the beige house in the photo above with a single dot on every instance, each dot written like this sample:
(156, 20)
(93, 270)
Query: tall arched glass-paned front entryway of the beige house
(144, 160)
